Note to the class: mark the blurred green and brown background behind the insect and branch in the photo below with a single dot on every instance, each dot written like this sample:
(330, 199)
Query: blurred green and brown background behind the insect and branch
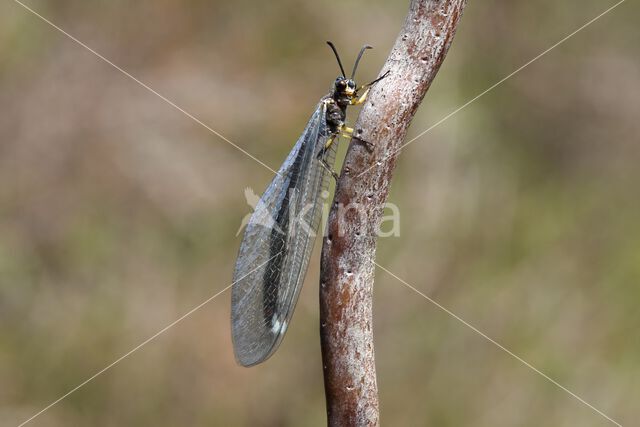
(118, 214)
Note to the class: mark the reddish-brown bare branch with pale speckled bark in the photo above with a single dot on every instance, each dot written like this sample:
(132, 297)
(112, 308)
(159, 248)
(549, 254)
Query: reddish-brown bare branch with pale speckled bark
(348, 252)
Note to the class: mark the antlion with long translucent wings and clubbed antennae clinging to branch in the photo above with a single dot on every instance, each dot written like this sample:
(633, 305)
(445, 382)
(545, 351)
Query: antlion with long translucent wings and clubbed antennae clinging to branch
(278, 239)
